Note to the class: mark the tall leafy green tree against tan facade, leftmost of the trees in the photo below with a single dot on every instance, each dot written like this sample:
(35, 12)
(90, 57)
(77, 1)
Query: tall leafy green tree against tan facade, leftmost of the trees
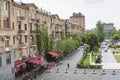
(44, 42)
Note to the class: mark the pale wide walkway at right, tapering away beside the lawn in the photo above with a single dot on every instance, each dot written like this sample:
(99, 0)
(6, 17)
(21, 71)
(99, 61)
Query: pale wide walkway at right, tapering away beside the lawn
(109, 61)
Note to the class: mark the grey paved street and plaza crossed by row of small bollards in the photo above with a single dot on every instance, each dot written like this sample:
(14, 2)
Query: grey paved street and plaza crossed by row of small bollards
(74, 73)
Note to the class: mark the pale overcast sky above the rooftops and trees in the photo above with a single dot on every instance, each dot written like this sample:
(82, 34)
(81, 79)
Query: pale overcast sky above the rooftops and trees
(108, 11)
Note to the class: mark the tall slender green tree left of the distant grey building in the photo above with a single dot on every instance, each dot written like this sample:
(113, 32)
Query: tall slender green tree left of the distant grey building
(100, 31)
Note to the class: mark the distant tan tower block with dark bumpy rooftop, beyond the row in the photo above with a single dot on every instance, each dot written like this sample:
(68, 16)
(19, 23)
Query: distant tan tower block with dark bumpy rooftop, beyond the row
(78, 19)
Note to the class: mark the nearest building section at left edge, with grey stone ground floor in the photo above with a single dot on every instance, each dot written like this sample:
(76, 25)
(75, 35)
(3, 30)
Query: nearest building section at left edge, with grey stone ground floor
(6, 41)
